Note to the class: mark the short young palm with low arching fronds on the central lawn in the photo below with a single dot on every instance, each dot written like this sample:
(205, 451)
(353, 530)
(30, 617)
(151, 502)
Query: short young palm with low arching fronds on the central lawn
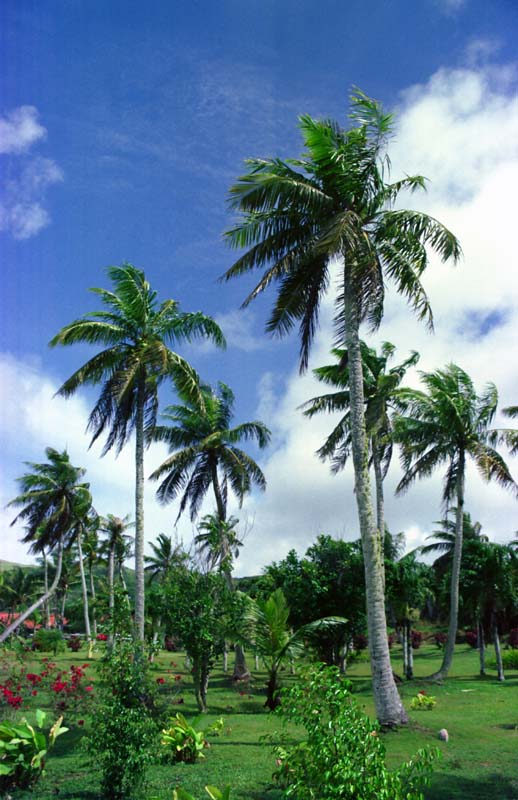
(266, 630)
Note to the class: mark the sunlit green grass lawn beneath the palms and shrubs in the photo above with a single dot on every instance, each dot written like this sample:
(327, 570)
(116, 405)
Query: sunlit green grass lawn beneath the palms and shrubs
(480, 761)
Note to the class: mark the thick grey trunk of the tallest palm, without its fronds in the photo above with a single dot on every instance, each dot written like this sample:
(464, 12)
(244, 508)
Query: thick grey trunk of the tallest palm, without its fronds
(389, 708)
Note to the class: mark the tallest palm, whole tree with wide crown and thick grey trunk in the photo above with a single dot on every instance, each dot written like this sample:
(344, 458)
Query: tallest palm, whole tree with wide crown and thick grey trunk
(298, 218)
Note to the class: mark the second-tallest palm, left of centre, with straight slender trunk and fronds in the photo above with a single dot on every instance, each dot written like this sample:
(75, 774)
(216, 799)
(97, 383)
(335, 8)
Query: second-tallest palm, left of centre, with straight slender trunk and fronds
(135, 332)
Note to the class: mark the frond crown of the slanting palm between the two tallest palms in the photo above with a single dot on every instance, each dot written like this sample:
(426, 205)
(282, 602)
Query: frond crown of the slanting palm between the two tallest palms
(204, 451)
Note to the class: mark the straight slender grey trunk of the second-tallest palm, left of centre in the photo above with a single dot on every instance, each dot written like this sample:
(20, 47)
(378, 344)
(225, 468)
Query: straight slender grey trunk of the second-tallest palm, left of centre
(139, 512)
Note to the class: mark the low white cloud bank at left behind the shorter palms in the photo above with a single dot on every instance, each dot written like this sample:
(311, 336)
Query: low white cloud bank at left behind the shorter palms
(32, 415)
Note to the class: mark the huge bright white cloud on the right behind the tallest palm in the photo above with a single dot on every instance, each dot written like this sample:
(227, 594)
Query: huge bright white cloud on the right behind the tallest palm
(461, 130)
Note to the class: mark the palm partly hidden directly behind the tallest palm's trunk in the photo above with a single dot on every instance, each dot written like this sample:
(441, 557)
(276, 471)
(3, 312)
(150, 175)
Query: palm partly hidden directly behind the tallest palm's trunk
(380, 387)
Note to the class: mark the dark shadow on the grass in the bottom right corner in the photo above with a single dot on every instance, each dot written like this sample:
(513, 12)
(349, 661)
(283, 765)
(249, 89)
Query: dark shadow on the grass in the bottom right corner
(446, 786)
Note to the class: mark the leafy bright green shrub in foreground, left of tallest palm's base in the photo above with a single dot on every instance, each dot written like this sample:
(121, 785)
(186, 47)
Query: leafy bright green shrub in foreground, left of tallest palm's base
(343, 755)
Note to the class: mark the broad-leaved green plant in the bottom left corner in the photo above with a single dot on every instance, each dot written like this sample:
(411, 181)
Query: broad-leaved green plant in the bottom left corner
(23, 749)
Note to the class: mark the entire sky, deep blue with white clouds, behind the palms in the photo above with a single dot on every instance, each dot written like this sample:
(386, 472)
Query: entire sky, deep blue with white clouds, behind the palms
(122, 126)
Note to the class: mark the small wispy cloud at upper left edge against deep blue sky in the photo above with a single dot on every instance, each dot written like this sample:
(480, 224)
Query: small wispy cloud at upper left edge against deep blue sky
(22, 202)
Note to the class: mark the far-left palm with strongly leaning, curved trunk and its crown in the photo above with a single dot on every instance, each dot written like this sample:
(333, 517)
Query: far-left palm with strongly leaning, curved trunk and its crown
(51, 500)
